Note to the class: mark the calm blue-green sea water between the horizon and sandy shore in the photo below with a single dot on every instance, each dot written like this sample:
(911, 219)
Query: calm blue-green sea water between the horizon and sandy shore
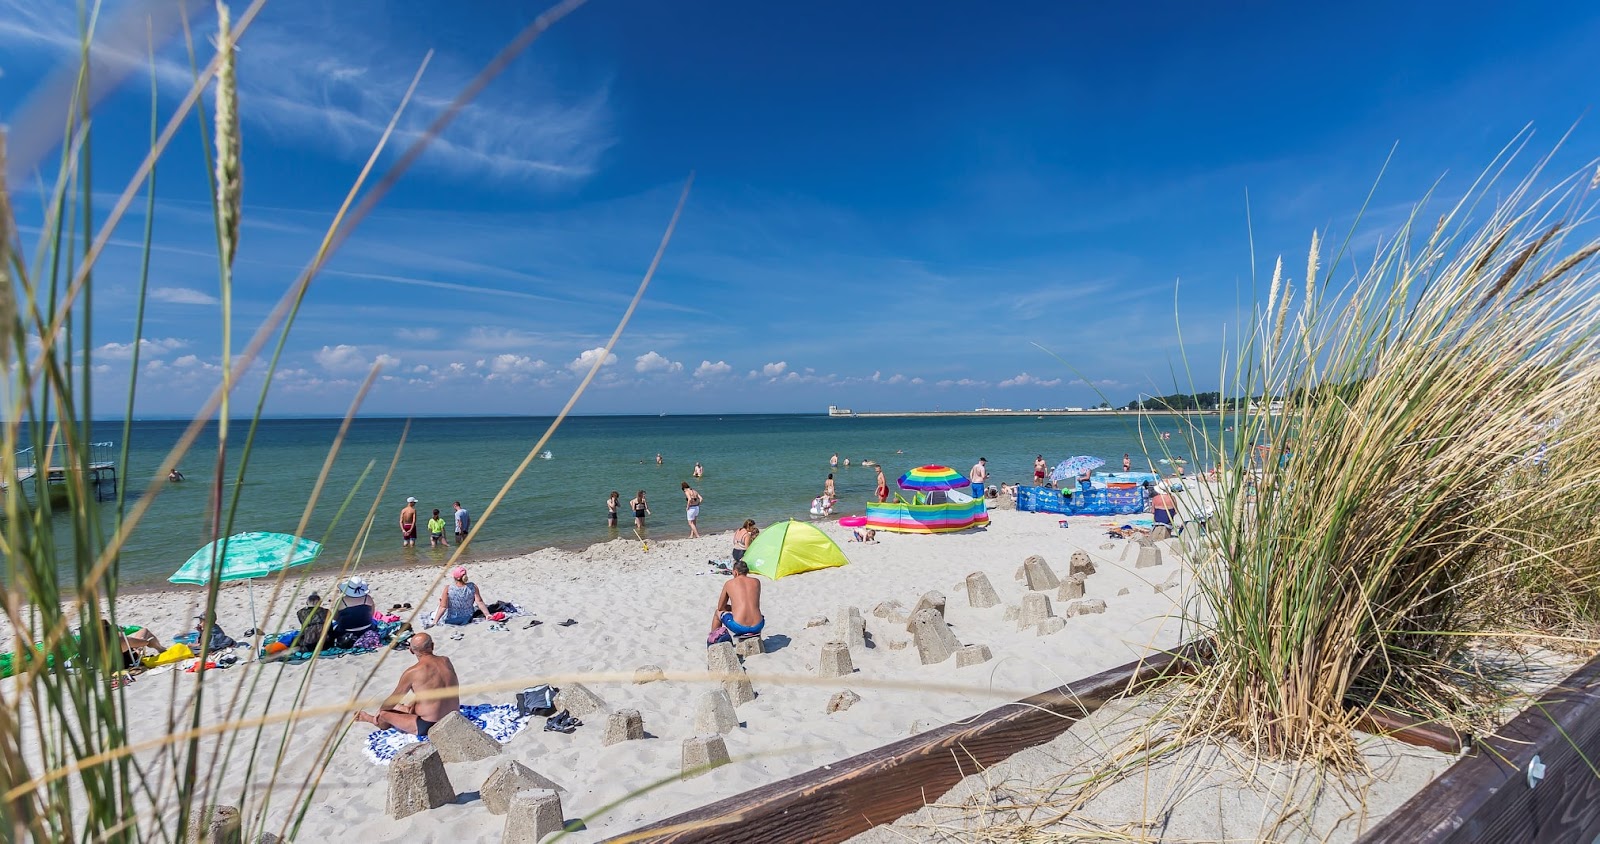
(762, 468)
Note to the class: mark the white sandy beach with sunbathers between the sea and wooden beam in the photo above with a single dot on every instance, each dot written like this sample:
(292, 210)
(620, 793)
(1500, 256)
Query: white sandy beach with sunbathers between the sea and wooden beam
(654, 608)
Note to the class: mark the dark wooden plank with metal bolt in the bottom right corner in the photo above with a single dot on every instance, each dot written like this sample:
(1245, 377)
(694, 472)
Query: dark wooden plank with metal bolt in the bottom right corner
(1486, 797)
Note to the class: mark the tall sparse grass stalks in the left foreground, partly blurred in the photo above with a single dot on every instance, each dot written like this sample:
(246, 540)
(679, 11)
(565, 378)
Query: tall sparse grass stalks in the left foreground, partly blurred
(68, 768)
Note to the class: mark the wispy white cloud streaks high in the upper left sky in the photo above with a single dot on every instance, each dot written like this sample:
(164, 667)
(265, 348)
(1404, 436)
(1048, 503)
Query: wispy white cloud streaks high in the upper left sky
(326, 82)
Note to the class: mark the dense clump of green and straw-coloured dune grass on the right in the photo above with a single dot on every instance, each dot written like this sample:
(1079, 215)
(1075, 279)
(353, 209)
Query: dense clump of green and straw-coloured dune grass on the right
(1391, 511)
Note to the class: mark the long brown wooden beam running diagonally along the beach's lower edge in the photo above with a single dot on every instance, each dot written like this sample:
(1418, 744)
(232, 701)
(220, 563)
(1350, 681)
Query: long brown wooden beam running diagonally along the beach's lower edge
(854, 795)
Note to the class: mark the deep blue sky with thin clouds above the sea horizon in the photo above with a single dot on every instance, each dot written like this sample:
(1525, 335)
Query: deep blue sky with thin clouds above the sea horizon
(894, 202)
